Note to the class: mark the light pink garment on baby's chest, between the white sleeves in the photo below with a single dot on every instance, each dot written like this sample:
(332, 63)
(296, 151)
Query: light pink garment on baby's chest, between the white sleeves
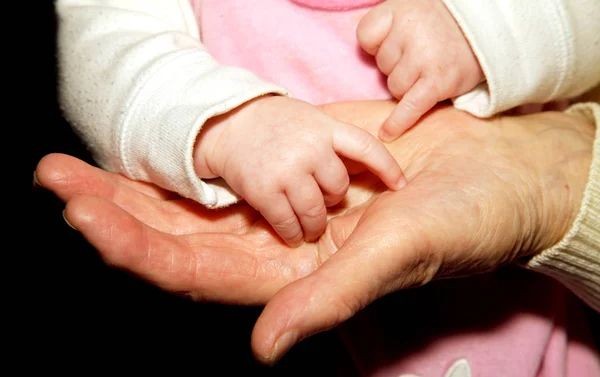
(312, 53)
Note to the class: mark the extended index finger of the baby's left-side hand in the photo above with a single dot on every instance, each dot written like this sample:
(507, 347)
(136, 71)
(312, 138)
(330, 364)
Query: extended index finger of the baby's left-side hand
(359, 145)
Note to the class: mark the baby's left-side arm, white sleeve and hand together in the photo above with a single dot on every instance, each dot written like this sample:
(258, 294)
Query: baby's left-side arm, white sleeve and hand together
(137, 85)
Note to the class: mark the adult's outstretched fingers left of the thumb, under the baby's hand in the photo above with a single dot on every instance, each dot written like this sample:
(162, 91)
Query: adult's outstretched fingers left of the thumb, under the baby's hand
(229, 256)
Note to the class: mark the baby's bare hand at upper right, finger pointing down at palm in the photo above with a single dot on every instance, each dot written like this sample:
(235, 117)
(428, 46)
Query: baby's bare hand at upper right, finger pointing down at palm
(424, 53)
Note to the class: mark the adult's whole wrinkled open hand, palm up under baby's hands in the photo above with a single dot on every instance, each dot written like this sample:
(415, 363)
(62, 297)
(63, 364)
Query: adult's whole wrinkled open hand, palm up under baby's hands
(481, 194)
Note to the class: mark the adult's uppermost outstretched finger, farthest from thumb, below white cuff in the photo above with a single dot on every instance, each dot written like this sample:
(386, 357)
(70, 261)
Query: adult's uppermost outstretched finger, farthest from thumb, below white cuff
(69, 177)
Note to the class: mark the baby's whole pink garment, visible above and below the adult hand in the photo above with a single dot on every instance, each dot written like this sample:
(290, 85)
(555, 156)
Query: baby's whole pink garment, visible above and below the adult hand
(512, 323)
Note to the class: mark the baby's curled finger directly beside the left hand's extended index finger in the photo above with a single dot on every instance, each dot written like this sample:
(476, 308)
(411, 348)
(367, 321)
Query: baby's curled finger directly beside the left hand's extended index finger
(332, 177)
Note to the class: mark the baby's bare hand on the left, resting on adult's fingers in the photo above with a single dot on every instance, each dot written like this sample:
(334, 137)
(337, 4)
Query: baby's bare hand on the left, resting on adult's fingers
(283, 157)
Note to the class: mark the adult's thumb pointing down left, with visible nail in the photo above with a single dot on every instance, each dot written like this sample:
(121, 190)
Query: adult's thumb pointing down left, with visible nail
(371, 263)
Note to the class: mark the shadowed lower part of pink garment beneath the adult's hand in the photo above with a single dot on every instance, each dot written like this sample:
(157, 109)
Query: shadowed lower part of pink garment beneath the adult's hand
(510, 323)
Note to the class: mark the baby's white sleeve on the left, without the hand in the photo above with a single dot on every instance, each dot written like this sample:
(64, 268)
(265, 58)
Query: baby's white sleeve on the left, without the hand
(137, 85)
